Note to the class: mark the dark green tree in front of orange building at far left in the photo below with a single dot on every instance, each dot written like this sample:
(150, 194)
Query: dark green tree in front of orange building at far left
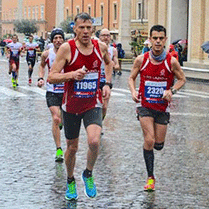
(26, 26)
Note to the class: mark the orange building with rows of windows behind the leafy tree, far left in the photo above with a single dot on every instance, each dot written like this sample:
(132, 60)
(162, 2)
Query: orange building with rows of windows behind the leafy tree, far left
(42, 11)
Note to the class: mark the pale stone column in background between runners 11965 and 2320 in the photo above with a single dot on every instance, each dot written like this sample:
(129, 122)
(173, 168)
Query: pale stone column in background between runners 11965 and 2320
(125, 26)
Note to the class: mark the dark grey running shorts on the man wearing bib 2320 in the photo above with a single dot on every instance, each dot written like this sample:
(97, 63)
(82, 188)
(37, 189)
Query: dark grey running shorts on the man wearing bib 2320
(159, 117)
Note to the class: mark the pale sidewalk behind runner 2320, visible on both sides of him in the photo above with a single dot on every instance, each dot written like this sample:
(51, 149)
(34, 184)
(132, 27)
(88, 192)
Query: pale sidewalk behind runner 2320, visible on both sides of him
(191, 73)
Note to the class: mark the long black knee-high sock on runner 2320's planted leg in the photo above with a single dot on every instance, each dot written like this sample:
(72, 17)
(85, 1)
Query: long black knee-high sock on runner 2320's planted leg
(149, 161)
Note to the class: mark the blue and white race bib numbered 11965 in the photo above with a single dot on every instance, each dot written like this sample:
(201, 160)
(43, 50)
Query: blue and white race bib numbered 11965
(87, 87)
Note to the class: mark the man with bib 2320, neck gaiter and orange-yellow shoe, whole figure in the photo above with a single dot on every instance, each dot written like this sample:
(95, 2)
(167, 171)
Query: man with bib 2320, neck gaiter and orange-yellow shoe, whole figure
(157, 70)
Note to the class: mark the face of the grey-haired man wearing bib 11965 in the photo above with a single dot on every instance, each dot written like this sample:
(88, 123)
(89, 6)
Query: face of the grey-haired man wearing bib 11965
(83, 30)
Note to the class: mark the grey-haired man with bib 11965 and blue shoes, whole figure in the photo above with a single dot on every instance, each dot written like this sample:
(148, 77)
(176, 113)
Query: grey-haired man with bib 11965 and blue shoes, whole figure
(82, 98)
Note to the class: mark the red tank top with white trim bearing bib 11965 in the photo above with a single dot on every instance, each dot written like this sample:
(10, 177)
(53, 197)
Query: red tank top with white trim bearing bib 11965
(83, 95)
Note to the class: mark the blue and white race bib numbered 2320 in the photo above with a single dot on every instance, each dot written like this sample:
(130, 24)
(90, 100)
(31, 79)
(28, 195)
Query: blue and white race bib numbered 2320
(154, 90)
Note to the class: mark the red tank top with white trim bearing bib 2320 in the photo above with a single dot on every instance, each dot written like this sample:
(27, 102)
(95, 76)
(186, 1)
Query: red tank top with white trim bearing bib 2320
(154, 80)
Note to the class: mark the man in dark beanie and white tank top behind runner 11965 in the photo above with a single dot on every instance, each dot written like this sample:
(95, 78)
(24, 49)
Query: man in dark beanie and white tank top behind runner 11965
(54, 93)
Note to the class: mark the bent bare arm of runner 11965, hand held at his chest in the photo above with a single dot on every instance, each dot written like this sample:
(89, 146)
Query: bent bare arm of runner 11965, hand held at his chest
(63, 56)
